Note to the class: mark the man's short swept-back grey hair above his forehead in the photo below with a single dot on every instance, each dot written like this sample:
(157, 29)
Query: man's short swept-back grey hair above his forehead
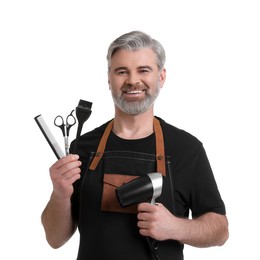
(137, 40)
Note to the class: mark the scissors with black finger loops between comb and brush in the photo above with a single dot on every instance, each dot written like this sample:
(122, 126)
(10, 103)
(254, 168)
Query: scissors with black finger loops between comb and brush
(65, 128)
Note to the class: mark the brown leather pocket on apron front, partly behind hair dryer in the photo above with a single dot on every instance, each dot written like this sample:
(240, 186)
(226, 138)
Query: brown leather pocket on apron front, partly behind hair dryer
(109, 199)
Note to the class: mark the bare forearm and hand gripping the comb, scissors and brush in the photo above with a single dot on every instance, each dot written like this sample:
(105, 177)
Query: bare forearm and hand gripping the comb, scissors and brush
(57, 217)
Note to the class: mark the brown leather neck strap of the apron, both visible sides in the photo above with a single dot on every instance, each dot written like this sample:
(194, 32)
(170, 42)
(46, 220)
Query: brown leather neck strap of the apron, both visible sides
(159, 141)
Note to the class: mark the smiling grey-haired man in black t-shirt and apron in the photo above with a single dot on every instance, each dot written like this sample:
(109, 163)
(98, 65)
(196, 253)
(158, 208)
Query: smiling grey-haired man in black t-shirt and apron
(135, 143)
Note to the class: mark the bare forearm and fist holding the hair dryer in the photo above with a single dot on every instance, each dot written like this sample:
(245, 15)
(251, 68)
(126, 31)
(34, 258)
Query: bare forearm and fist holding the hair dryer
(210, 229)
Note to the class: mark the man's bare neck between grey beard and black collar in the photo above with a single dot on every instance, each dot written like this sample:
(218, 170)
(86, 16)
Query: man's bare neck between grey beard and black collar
(133, 126)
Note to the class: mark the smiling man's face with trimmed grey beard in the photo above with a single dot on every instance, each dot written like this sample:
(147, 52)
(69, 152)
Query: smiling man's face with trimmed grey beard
(134, 80)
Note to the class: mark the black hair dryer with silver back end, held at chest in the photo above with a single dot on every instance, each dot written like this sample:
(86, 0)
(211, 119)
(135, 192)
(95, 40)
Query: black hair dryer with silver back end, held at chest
(145, 188)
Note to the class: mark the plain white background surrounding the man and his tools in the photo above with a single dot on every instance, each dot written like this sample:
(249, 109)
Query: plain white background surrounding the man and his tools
(53, 53)
